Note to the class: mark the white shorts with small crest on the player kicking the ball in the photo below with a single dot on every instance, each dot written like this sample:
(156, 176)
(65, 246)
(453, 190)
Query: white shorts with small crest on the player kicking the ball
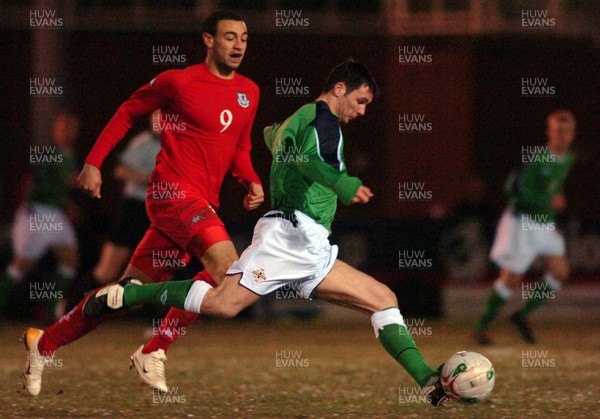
(285, 253)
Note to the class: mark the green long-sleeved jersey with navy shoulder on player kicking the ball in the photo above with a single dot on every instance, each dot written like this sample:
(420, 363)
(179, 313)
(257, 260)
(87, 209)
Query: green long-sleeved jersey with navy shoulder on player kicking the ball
(308, 173)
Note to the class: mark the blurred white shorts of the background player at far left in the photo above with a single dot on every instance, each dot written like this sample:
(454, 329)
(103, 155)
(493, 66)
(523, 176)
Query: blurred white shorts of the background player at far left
(39, 227)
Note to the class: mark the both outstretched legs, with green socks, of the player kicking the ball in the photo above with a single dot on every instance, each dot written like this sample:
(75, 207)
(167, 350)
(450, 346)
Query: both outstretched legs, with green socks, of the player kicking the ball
(344, 286)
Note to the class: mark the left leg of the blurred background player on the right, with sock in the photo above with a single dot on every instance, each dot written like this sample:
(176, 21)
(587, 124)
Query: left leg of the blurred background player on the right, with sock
(501, 292)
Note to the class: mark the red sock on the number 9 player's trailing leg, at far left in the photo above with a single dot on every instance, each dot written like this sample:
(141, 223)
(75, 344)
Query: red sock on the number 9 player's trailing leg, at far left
(70, 327)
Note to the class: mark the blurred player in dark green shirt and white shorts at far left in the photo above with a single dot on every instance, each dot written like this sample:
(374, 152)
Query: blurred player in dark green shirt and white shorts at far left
(43, 223)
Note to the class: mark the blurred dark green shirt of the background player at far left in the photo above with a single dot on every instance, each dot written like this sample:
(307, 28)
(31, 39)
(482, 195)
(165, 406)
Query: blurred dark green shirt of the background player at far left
(49, 185)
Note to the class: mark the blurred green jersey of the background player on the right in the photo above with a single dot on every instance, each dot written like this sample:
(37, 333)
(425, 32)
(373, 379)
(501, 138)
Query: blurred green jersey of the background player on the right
(532, 187)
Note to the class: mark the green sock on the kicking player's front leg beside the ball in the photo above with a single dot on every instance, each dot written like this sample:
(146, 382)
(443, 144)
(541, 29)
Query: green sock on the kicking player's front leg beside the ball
(398, 342)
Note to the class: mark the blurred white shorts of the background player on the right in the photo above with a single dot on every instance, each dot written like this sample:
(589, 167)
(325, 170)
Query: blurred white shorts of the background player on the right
(519, 241)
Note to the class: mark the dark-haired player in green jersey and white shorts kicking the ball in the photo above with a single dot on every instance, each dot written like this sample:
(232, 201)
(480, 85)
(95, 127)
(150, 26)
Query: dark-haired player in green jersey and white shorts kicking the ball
(290, 245)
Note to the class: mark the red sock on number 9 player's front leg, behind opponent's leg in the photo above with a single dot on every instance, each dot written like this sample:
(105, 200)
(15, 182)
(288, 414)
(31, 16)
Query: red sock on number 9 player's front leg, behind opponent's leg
(175, 323)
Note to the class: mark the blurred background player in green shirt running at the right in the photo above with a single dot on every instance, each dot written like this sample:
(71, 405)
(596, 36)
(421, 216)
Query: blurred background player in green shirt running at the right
(527, 228)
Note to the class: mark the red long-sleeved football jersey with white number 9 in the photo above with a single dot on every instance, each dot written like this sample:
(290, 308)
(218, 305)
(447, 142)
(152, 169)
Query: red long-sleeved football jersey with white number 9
(205, 128)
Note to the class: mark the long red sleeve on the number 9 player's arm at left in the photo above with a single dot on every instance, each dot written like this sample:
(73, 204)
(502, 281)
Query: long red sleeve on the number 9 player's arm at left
(156, 94)
